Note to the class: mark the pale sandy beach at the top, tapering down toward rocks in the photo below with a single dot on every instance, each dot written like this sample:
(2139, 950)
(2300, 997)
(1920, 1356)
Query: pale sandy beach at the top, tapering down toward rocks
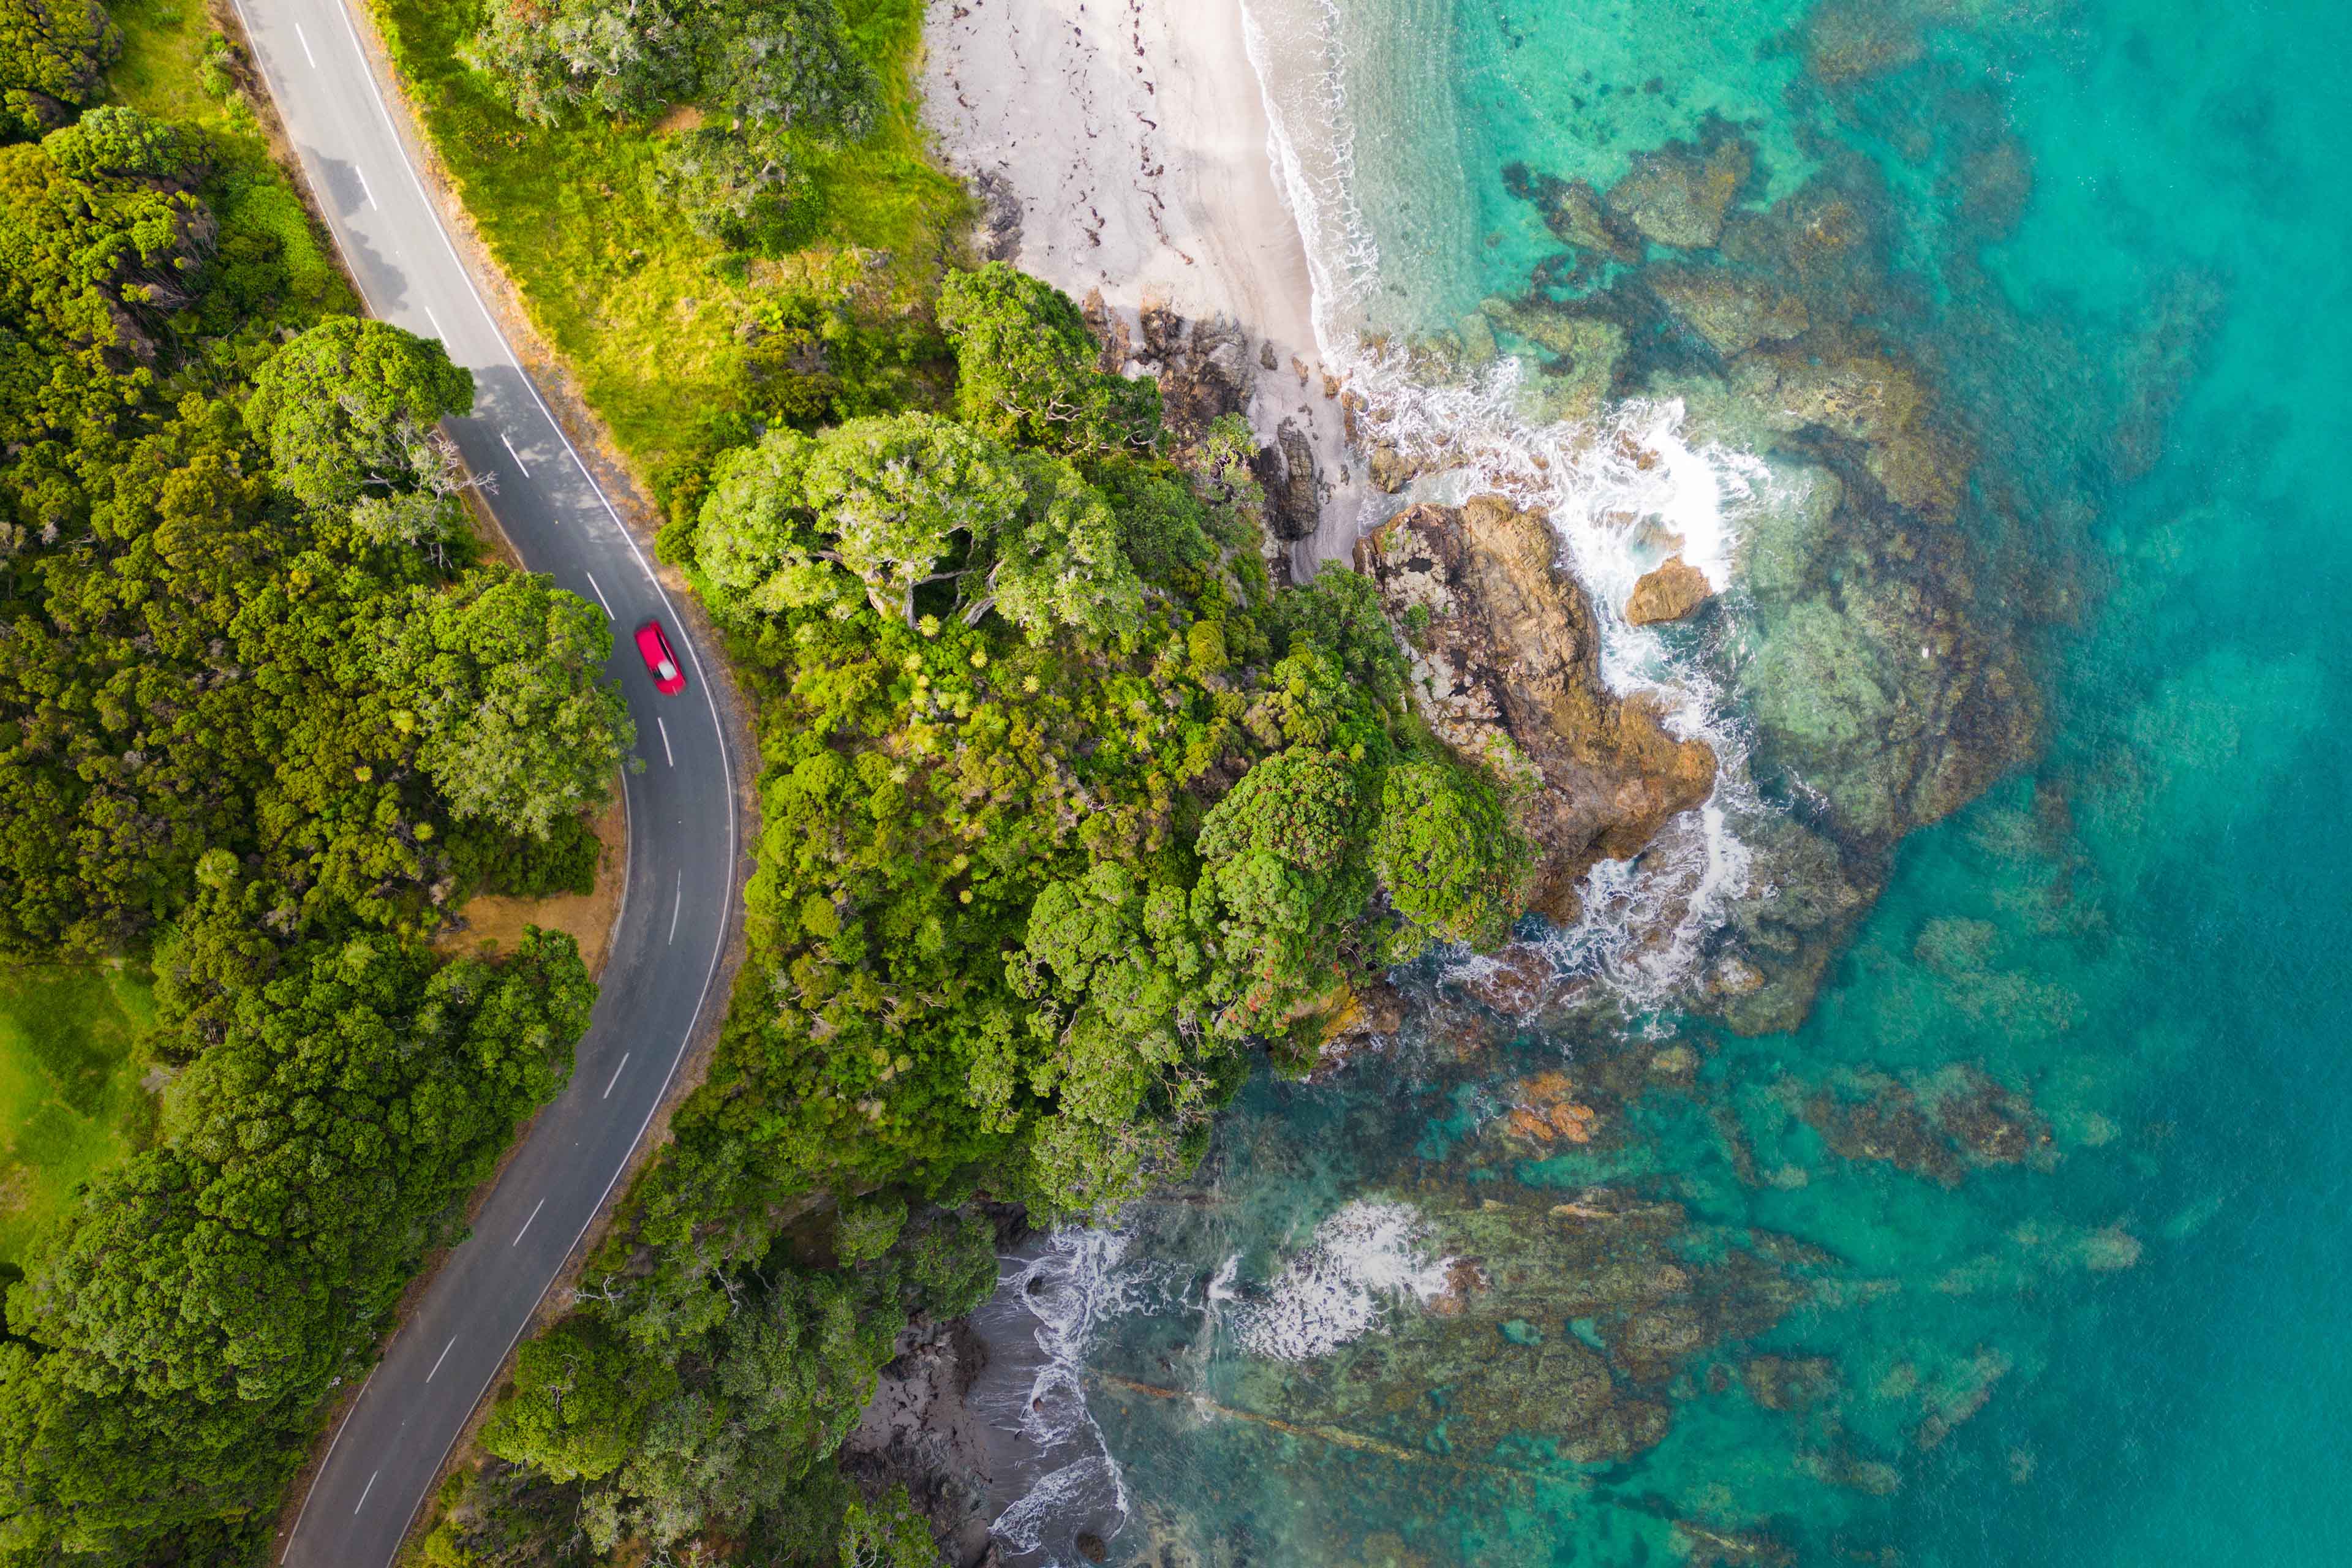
(1135, 138)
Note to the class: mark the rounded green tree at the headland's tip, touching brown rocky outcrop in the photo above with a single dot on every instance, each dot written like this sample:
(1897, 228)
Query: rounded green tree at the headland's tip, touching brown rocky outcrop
(1448, 859)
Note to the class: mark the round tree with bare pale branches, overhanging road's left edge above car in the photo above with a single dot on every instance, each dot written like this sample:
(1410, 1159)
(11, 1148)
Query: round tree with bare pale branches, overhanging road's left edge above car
(352, 406)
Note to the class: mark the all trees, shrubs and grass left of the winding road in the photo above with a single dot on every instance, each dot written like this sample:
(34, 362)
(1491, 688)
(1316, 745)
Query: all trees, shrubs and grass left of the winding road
(267, 721)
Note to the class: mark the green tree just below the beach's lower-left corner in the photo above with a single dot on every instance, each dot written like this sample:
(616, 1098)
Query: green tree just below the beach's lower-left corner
(1027, 368)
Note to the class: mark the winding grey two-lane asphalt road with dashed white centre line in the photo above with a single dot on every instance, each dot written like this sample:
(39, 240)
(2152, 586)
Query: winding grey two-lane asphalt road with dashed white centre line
(660, 979)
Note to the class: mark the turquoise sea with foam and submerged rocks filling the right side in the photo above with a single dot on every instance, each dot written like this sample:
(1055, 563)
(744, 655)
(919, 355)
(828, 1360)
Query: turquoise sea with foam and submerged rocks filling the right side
(2029, 1240)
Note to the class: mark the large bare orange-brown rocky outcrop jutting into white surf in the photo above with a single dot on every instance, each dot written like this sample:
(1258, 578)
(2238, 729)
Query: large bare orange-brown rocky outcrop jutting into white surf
(1506, 671)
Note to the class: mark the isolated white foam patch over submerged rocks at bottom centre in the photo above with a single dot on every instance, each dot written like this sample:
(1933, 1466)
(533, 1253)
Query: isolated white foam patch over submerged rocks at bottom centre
(1363, 1261)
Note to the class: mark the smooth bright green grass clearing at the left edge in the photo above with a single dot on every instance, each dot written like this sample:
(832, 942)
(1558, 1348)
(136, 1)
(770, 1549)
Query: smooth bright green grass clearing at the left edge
(69, 1085)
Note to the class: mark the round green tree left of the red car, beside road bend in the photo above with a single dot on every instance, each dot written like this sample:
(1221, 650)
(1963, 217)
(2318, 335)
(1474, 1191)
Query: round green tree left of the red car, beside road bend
(502, 681)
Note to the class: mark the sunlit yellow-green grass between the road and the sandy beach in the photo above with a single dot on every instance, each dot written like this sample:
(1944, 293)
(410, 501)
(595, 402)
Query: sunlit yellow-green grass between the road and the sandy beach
(646, 311)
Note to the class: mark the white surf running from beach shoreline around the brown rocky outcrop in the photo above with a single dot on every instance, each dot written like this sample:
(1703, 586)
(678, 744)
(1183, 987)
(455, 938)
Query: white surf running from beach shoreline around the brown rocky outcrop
(1624, 488)
